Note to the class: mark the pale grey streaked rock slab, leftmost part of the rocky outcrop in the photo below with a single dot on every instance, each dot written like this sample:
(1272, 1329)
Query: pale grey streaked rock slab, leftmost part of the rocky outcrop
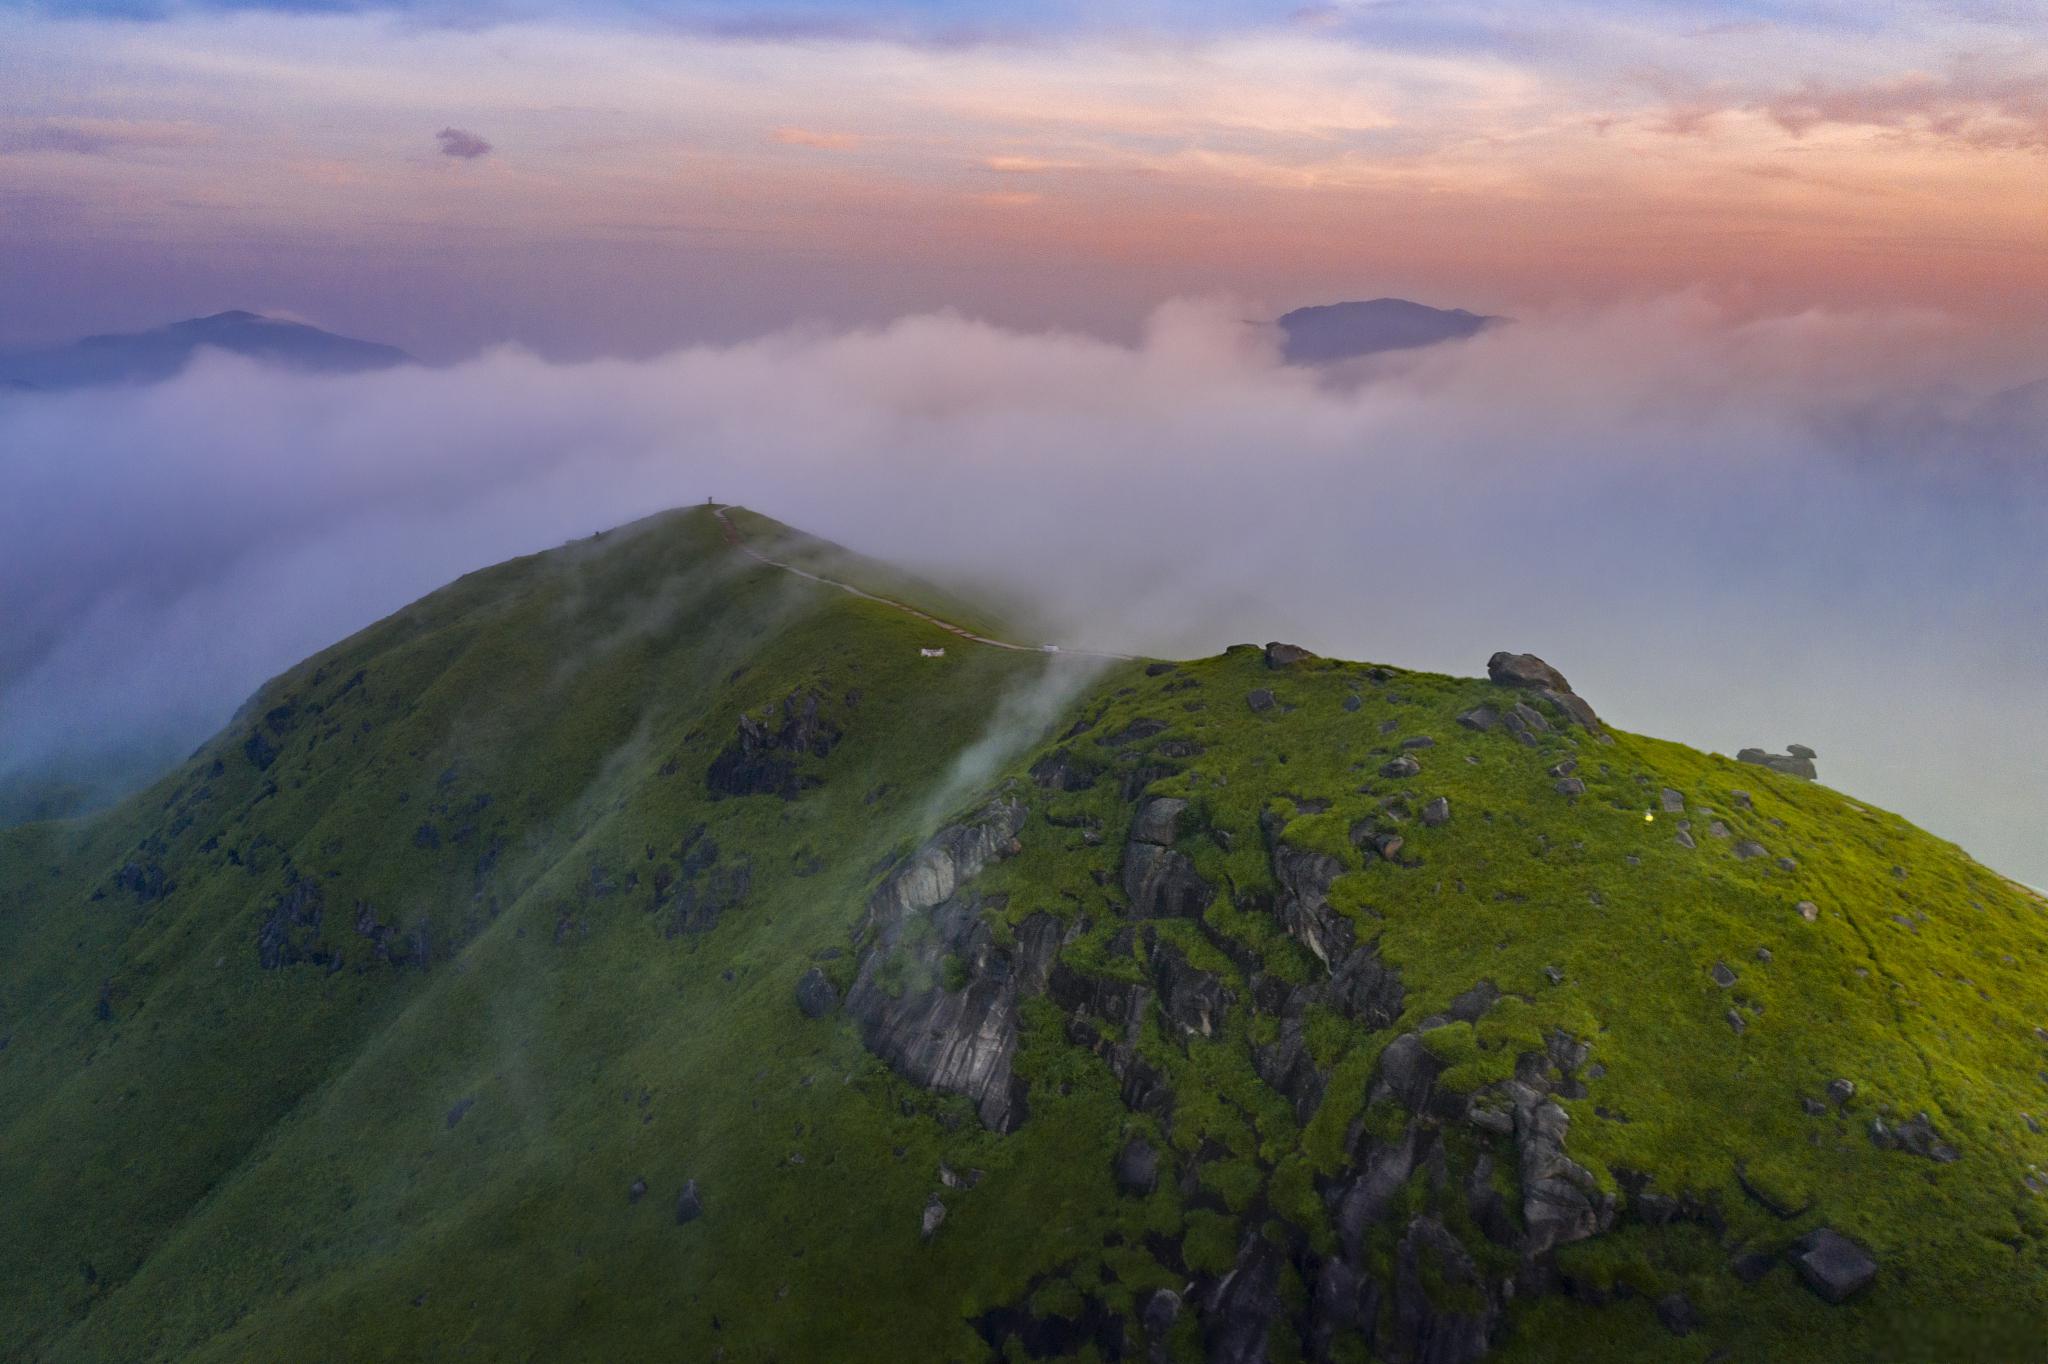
(959, 1041)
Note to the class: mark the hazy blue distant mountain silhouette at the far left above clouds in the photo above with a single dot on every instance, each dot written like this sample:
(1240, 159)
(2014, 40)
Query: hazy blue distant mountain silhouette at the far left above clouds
(148, 357)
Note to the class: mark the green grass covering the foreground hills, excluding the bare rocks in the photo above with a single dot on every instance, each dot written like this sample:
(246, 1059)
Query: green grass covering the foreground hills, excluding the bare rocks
(259, 1164)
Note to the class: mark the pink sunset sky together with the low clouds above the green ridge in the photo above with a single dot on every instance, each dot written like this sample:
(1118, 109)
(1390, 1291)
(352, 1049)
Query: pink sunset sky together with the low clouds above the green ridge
(984, 288)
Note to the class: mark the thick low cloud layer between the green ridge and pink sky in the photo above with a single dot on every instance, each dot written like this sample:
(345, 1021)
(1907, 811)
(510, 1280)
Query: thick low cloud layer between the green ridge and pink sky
(1801, 529)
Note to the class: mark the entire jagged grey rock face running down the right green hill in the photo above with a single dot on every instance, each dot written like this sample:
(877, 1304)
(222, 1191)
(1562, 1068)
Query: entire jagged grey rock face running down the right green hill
(1400, 1279)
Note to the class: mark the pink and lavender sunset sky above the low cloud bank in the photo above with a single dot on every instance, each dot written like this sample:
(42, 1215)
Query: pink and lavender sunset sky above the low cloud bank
(626, 177)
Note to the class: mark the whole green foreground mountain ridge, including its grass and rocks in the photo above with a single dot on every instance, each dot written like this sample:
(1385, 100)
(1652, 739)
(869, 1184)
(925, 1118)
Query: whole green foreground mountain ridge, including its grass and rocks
(636, 951)
